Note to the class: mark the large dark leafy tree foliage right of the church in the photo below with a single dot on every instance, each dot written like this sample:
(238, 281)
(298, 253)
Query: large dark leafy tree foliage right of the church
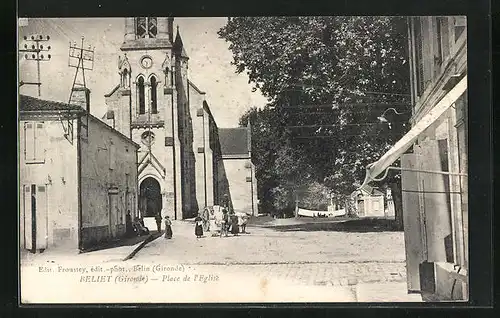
(327, 80)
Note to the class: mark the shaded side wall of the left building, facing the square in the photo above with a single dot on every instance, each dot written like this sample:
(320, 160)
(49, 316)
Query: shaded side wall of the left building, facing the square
(108, 183)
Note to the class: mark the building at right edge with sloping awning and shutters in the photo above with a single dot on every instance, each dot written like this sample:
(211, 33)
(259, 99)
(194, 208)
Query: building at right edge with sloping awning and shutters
(434, 160)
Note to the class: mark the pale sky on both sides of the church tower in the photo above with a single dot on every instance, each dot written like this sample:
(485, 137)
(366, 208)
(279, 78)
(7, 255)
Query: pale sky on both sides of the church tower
(228, 94)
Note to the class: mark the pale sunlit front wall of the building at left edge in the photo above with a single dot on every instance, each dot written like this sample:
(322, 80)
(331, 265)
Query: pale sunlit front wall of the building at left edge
(56, 169)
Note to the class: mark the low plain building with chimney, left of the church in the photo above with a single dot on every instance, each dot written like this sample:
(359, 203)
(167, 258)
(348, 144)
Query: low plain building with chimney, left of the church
(72, 194)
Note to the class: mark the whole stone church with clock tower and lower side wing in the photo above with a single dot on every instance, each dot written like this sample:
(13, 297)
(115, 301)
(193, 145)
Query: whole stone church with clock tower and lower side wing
(185, 162)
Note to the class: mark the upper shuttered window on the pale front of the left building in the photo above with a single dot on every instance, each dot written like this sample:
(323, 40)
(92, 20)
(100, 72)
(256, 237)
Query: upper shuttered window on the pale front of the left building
(34, 142)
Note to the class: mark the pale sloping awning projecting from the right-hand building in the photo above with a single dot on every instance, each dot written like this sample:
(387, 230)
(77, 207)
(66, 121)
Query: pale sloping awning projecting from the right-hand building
(376, 168)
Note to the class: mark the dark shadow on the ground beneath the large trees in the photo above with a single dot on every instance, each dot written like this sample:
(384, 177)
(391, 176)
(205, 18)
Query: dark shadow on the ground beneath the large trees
(350, 225)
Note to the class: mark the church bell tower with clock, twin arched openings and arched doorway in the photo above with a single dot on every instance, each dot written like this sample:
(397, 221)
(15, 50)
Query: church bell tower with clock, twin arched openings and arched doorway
(147, 112)
